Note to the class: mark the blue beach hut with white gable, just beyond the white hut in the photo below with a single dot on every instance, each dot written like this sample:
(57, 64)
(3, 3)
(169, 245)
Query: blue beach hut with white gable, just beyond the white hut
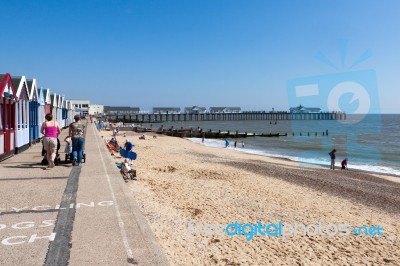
(33, 111)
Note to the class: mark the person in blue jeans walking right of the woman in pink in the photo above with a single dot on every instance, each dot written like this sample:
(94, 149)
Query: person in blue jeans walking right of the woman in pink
(76, 131)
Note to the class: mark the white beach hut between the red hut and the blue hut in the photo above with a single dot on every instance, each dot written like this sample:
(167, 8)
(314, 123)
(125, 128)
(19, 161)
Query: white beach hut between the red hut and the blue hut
(21, 114)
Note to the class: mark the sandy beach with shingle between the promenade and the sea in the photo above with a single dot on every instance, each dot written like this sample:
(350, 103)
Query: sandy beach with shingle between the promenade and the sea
(185, 190)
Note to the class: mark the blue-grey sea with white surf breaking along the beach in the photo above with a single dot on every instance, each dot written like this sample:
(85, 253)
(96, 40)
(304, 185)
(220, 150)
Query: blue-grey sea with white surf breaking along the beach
(370, 142)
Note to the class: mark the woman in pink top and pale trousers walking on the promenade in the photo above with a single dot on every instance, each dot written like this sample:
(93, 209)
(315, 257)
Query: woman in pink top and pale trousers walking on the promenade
(50, 129)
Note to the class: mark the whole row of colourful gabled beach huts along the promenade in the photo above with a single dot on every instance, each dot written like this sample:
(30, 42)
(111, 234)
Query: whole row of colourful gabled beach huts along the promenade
(22, 110)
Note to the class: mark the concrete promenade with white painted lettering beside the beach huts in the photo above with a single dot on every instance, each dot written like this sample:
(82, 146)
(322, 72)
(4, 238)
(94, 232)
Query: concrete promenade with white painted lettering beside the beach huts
(71, 215)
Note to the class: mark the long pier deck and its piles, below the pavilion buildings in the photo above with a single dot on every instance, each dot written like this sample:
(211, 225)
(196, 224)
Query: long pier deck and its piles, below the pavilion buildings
(275, 116)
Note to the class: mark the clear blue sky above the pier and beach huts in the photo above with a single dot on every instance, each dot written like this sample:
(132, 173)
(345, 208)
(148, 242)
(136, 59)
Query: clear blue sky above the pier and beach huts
(197, 52)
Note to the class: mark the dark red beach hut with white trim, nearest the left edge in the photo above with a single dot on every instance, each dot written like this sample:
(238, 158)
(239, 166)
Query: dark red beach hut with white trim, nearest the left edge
(7, 115)
